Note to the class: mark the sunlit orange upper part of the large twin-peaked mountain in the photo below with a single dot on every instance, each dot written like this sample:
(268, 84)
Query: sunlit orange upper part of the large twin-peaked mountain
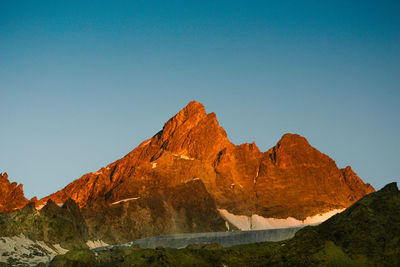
(291, 179)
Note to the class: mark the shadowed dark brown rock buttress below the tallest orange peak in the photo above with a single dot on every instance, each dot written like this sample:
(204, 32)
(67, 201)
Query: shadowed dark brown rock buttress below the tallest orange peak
(185, 208)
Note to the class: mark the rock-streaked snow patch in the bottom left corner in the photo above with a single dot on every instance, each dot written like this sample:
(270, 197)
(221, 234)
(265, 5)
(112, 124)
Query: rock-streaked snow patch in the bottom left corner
(26, 252)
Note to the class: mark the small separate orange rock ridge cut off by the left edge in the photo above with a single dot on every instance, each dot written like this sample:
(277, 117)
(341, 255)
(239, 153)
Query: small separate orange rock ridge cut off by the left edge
(11, 195)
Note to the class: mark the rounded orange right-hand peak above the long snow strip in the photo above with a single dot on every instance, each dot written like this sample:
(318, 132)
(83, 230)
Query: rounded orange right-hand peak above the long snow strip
(295, 178)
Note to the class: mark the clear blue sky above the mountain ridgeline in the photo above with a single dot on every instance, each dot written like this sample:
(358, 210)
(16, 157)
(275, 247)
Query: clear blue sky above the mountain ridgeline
(84, 82)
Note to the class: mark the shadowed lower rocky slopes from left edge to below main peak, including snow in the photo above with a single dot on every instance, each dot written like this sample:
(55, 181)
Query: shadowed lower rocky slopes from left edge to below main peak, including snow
(29, 236)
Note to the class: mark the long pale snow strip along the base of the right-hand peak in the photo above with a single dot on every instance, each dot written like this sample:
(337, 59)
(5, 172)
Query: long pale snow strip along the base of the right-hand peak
(257, 222)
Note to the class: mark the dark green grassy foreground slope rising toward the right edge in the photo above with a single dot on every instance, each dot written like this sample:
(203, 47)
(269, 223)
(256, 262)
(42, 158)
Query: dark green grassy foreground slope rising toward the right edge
(366, 234)
